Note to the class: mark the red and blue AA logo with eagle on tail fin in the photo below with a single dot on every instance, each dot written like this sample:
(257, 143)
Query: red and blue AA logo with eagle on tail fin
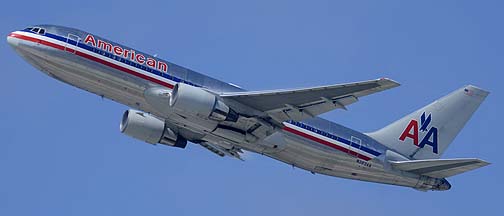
(412, 131)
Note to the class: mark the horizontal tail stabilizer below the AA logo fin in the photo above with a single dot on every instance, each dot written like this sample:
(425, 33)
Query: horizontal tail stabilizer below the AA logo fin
(439, 168)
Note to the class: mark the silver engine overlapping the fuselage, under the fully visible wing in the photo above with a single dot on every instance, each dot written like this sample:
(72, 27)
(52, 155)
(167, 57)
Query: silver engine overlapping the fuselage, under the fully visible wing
(198, 102)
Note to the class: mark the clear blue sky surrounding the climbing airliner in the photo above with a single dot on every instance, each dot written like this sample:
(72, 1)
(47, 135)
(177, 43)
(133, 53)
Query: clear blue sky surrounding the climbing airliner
(61, 152)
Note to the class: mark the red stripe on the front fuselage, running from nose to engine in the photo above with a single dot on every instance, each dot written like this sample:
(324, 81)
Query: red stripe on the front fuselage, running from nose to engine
(92, 58)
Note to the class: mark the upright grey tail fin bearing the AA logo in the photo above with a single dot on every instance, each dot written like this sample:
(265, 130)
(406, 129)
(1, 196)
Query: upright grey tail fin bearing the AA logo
(427, 132)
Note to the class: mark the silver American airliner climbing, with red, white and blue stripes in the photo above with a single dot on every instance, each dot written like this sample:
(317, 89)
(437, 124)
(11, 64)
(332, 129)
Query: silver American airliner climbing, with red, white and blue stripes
(173, 105)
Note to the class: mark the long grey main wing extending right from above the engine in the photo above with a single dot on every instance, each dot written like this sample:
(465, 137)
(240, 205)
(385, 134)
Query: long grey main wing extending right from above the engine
(298, 104)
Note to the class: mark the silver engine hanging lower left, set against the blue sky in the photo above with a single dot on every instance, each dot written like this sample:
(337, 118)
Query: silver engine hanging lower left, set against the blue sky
(150, 129)
